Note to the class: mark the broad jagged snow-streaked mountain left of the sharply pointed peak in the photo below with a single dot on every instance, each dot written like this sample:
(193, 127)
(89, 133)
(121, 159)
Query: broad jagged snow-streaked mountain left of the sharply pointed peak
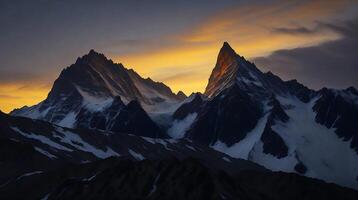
(93, 92)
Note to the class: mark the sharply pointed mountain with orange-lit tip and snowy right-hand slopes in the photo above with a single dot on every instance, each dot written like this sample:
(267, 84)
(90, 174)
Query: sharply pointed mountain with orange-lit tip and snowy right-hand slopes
(281, 125)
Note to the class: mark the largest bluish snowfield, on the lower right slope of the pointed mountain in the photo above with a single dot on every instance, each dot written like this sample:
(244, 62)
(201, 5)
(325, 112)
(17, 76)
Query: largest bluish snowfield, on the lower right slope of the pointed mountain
(316, 146)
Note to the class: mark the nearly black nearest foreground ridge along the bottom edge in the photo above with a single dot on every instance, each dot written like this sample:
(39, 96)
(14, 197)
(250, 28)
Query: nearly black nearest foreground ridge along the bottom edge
(113, 178)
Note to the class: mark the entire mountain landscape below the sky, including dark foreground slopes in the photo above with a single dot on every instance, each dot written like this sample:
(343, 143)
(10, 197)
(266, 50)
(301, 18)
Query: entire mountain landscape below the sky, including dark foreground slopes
(248, 129)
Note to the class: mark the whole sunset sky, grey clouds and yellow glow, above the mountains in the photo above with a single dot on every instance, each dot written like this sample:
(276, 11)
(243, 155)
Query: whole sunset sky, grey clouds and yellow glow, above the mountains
(176, 42)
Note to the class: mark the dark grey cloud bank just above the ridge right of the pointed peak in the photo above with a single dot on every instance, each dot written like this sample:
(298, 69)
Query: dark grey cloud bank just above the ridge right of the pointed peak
(333, 64)
